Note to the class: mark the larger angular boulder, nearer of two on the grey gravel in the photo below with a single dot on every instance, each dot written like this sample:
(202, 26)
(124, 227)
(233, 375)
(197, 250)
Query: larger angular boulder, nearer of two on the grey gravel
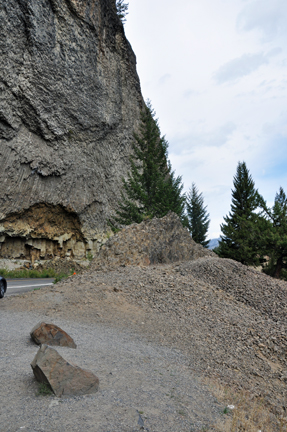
(63, 377)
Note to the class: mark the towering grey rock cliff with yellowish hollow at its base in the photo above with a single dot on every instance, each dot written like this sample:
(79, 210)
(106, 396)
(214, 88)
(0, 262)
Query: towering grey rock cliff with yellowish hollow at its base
(70, 100)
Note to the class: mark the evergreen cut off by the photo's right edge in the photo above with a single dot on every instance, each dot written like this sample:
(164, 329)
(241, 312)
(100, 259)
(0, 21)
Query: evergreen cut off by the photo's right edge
(274, 237)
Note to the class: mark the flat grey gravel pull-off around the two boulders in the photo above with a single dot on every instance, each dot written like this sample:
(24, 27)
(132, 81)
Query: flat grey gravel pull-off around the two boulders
(142, 386)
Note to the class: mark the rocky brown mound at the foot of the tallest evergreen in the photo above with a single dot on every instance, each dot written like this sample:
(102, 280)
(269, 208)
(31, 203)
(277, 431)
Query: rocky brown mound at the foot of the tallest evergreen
(153, 241)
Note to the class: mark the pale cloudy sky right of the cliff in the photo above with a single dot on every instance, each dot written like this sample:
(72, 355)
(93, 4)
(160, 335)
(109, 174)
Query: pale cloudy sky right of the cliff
(215, 72)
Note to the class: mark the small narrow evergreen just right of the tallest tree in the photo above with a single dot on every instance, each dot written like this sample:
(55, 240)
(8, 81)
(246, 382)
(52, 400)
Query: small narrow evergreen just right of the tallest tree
(197, 216)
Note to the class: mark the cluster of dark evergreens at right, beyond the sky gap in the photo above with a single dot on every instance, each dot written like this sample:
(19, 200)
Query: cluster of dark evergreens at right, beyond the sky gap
(254, 233)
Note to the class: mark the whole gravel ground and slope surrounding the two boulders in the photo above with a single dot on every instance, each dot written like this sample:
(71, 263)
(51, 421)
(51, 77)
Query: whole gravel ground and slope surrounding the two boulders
(160, 327)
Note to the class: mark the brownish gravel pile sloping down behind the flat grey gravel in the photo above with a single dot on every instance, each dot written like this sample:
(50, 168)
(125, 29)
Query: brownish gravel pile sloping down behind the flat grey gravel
(190, 307)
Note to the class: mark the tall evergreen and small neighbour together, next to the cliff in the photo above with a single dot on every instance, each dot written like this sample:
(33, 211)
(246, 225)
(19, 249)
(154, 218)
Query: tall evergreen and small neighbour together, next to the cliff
(152, 189)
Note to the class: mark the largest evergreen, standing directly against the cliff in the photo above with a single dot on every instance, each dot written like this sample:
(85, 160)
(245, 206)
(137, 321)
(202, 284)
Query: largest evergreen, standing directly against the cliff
(151, 188)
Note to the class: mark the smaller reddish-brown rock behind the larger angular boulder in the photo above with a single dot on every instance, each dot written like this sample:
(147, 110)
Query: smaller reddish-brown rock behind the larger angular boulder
(50, 334)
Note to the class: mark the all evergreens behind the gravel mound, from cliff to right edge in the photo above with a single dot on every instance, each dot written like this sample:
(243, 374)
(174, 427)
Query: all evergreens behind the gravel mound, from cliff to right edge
(252, 233)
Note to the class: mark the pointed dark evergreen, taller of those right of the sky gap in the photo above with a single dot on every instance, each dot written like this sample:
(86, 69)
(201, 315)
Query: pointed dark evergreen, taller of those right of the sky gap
(241, 231)
